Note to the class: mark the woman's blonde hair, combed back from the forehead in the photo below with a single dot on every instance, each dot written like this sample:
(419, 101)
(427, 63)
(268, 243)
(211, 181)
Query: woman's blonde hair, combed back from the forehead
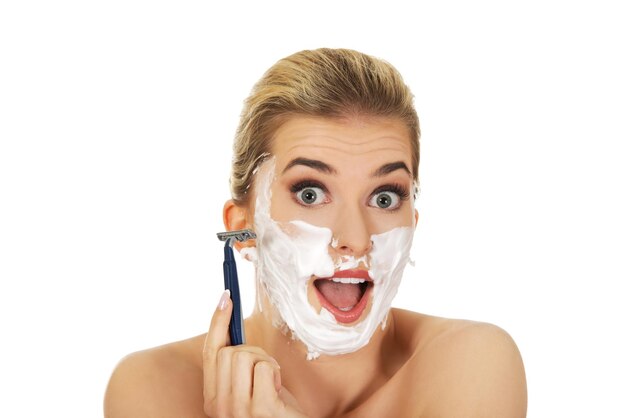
(325, 82)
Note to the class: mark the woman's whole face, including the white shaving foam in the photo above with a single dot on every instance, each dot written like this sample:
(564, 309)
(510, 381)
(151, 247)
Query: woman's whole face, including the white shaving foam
(334, 218)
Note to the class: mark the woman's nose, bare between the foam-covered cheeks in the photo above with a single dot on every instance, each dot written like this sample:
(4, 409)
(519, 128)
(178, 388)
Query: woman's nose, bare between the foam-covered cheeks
(351, 233)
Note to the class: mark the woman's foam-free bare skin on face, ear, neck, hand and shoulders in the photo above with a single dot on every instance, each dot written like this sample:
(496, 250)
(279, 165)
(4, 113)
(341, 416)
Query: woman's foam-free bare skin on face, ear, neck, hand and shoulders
(419, 366)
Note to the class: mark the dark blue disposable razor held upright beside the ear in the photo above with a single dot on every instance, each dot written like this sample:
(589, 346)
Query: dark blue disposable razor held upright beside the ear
(231, 282)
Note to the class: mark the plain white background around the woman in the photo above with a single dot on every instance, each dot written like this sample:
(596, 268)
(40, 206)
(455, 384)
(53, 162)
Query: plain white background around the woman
(116, 122)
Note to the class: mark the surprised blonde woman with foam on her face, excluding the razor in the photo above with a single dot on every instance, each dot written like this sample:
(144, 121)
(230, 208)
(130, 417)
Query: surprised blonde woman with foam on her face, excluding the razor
(325, 172)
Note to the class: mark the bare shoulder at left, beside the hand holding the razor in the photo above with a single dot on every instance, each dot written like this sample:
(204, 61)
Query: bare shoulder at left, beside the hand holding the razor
(160, 382)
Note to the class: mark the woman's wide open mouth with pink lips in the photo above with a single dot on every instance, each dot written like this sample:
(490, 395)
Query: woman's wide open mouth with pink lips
(345, 294)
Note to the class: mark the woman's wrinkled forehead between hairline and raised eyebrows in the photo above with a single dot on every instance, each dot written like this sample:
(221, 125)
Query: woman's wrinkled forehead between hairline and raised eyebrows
(366, 138)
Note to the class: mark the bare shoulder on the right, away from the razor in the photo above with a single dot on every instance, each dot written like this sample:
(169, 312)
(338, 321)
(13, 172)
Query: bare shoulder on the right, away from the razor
(466, 368)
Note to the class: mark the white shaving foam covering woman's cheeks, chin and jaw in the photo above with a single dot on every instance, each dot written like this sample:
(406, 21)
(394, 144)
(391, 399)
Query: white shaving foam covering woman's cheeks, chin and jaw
(289, 254)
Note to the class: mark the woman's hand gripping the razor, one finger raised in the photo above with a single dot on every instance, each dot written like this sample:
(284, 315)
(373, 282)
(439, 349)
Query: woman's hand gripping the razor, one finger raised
(241, 381)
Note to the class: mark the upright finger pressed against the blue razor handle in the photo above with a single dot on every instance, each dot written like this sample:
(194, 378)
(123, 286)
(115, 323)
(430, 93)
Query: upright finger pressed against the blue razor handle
(216, 339)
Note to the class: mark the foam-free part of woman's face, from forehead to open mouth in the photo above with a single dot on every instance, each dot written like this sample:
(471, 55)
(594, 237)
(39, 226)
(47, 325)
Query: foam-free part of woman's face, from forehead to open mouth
(352, 176)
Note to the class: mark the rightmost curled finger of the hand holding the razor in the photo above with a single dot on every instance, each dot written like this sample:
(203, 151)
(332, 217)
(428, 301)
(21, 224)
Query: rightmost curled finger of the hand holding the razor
(264, 393)
